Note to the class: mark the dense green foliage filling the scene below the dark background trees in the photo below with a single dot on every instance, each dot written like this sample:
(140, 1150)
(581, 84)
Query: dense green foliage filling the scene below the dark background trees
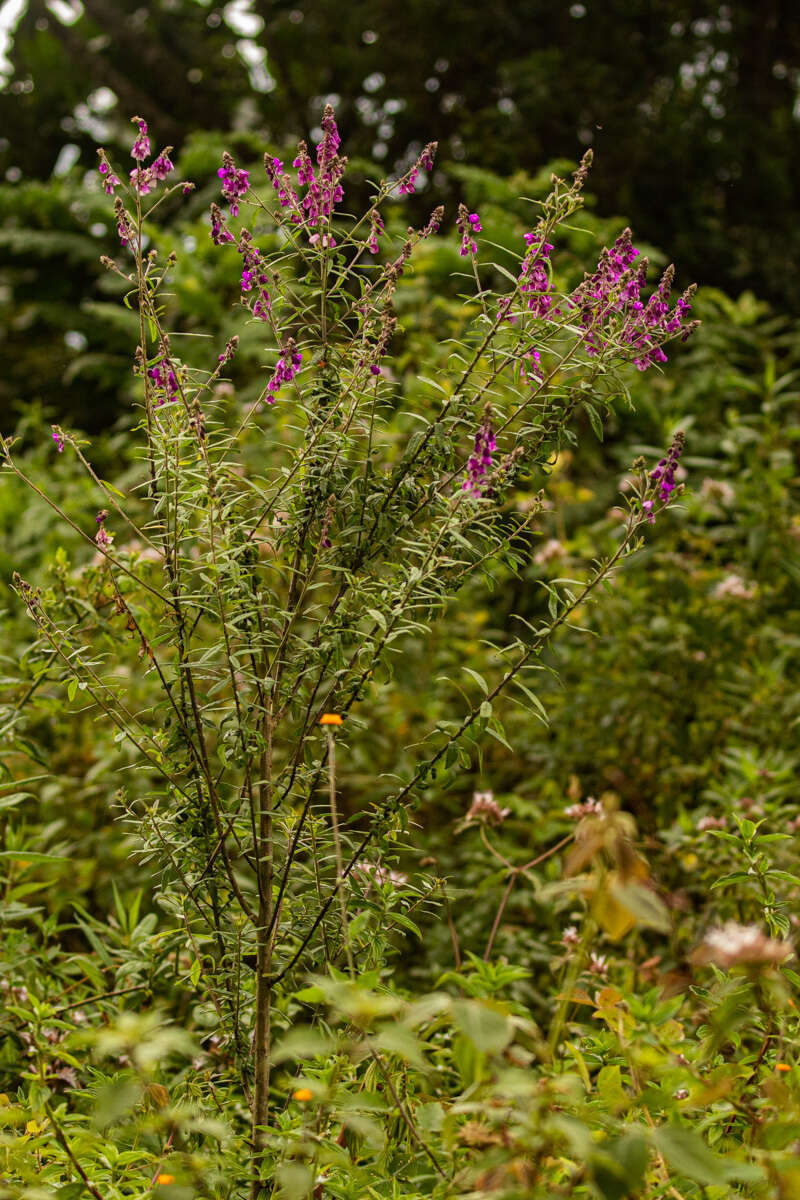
(542, 1003)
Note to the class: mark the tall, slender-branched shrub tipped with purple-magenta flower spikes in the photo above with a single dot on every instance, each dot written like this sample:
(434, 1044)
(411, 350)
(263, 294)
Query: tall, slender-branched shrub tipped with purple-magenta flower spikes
(284, 553)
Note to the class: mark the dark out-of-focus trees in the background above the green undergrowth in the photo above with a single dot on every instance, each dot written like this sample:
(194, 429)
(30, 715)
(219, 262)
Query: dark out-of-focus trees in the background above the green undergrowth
(691, 109)
